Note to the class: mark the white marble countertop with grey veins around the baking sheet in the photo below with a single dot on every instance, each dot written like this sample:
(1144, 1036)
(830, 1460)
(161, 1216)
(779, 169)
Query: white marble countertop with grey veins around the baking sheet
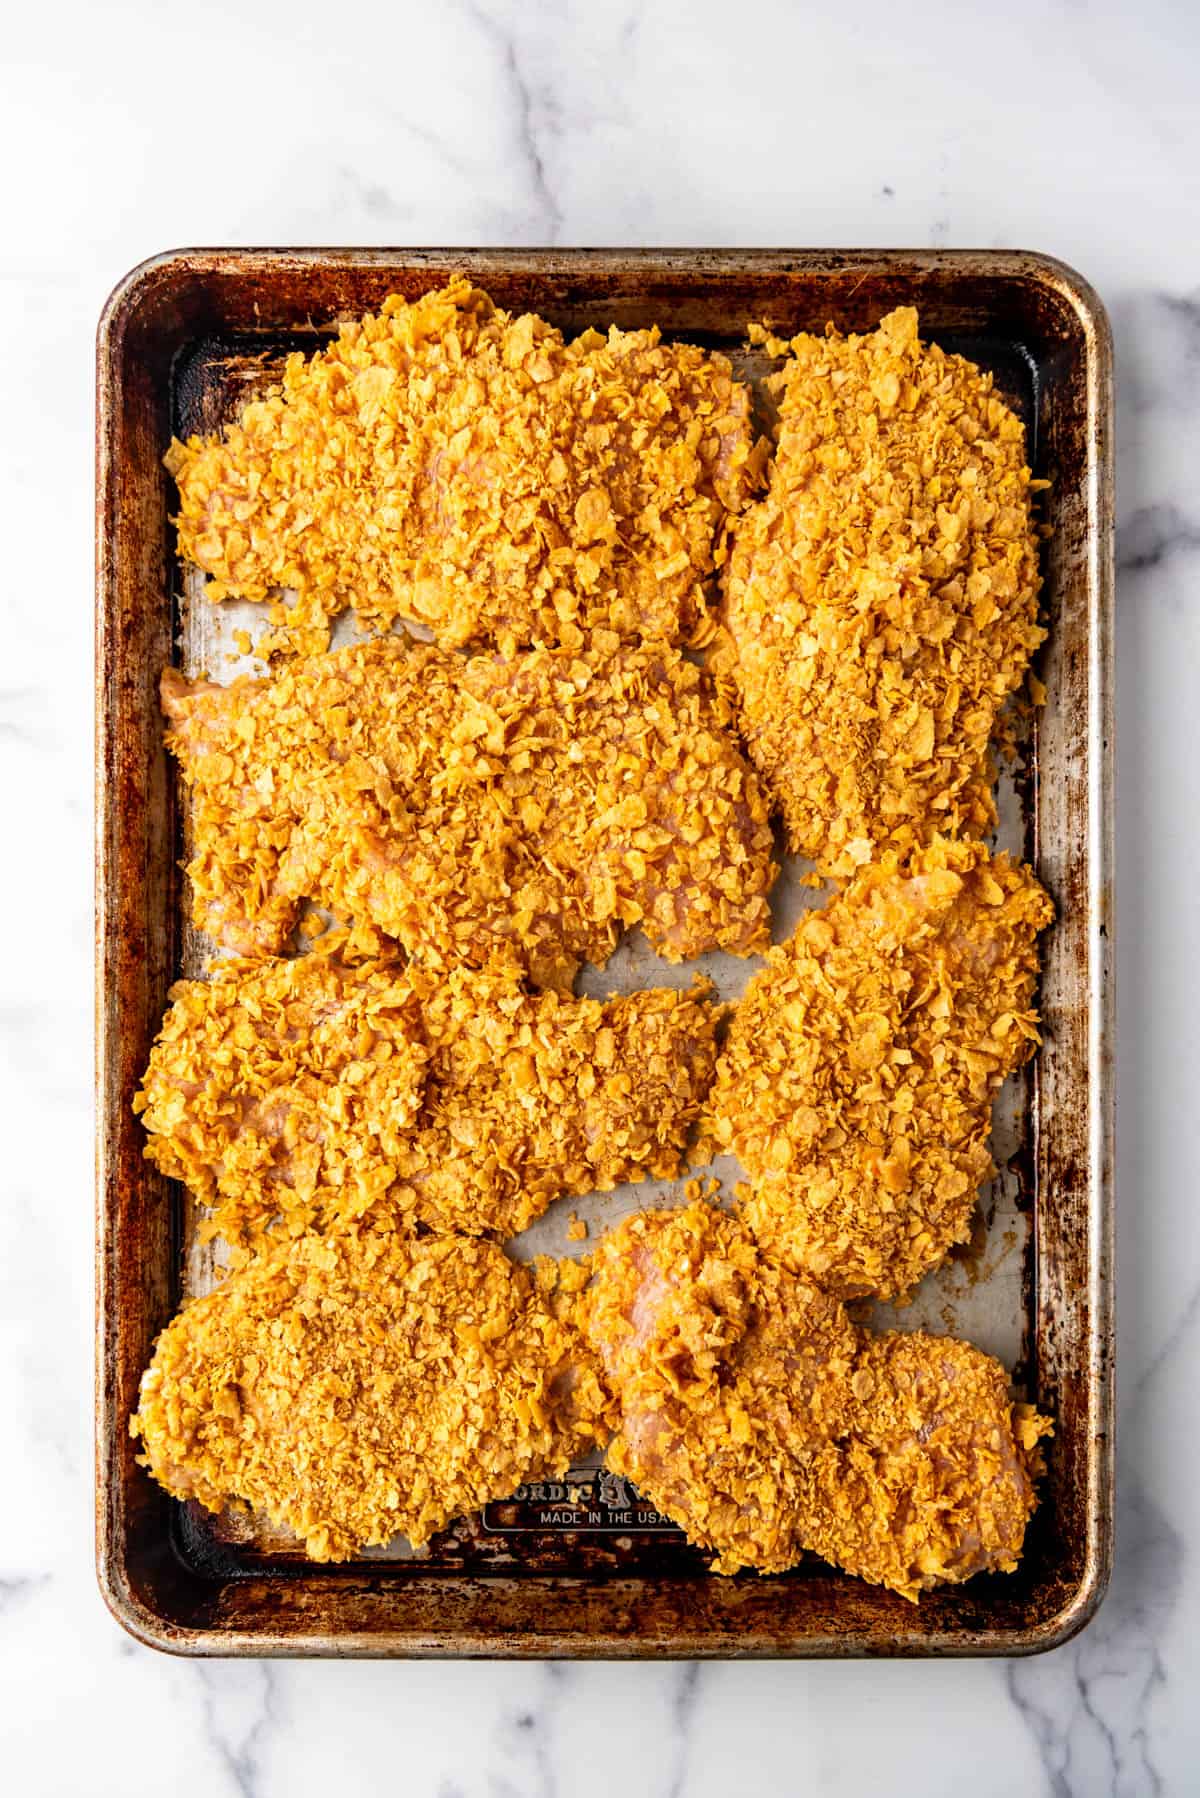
(129, 129)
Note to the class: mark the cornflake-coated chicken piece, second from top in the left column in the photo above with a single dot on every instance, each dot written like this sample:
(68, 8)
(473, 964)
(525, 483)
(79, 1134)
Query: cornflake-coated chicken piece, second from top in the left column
(474, 805)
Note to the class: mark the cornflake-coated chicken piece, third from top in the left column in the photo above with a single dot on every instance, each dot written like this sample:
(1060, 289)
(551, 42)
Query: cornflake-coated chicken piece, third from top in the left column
(314, 1092)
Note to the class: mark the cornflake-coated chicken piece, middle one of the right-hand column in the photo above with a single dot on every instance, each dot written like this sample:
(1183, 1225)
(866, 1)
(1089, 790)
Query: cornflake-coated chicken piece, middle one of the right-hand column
(861, 1067)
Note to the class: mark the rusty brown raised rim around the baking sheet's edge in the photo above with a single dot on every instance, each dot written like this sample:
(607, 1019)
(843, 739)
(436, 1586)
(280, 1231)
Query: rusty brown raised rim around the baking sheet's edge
(161, 1590)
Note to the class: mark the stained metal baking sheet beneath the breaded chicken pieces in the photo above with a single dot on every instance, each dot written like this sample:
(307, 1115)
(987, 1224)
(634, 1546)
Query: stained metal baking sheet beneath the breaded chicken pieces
(183, 344)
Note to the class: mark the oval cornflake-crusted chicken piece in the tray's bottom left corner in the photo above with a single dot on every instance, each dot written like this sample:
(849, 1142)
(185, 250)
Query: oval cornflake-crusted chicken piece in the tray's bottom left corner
(364, 1387)
